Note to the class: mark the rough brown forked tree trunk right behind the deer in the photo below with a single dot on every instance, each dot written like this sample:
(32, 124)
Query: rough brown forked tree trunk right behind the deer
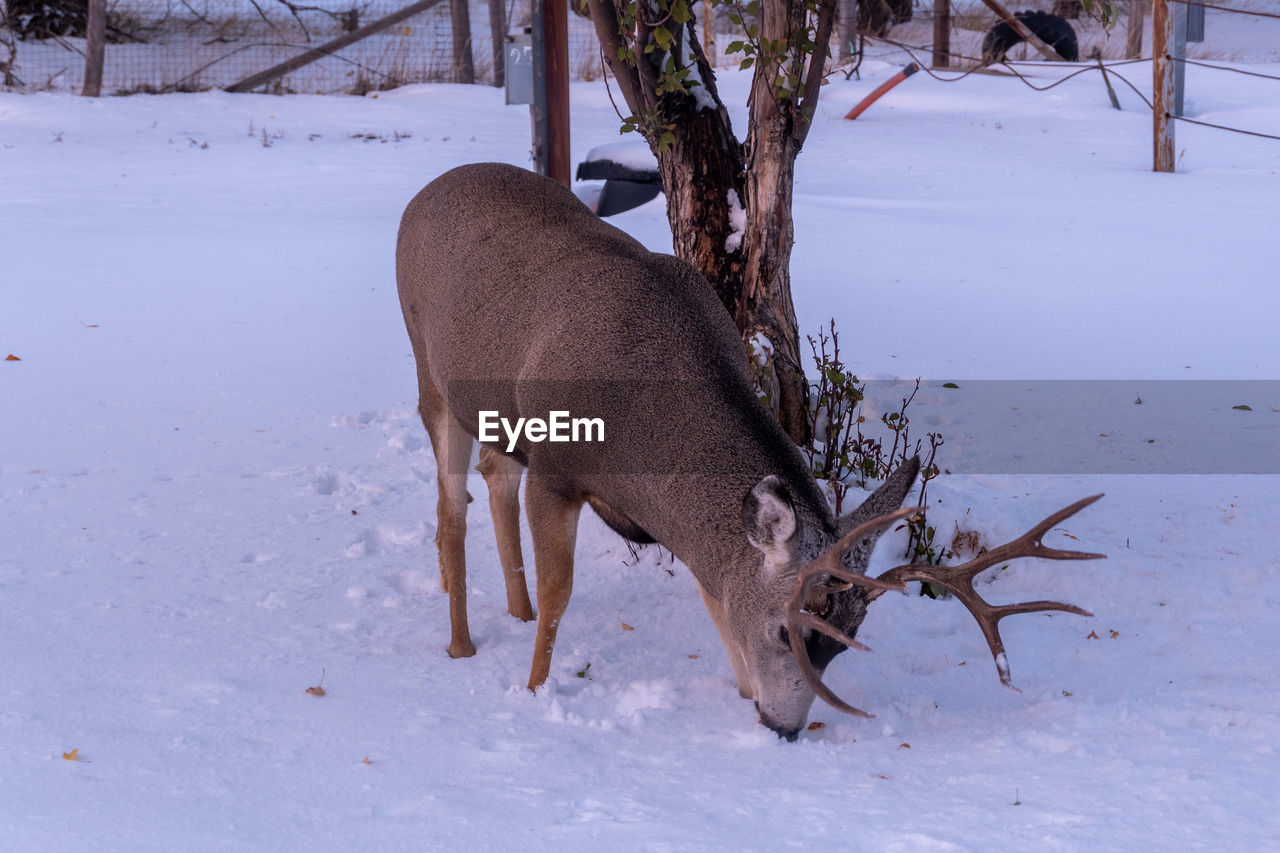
(730, 206)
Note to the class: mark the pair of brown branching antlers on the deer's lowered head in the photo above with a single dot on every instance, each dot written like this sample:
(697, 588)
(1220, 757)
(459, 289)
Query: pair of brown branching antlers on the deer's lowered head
(956, 580)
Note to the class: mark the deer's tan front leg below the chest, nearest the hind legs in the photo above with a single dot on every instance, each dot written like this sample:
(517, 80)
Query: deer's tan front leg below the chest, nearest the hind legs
(554, 519)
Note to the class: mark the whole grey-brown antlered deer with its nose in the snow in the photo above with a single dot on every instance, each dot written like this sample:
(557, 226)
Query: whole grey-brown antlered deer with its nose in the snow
(519, 300)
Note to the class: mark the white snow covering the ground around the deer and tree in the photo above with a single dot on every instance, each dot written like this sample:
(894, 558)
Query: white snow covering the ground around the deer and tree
(214, 492)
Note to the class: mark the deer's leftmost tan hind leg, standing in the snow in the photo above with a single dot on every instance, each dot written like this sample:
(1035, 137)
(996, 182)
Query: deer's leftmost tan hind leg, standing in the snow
(452, 448)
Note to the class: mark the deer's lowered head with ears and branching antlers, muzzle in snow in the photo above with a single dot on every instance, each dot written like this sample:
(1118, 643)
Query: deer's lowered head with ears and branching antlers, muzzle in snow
(821, 581)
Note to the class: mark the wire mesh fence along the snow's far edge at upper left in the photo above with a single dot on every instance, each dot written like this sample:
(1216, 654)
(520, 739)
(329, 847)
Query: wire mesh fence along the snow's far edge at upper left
(191, 45)
